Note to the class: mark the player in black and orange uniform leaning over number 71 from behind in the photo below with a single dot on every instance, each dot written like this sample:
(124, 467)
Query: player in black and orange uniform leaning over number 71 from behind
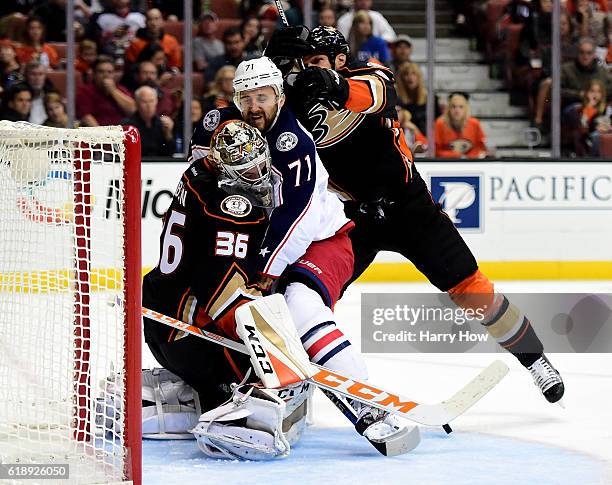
(349, 107)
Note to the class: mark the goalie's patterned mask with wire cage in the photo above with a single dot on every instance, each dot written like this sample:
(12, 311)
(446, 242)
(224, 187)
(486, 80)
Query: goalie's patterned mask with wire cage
(241, 157)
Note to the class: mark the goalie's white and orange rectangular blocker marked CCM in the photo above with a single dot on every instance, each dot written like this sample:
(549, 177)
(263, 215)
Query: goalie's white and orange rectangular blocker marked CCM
(277, 355)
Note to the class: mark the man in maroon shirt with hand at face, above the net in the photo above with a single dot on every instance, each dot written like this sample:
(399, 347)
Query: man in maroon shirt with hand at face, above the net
(103, 101)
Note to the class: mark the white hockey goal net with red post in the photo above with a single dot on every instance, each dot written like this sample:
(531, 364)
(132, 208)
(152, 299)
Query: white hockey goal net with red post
(70, 293)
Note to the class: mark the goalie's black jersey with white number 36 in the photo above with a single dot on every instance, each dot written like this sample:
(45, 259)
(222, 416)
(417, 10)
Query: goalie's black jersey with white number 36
(208, 245)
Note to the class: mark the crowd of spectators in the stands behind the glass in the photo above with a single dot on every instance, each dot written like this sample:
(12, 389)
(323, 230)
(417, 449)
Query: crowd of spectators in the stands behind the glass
(129, 64)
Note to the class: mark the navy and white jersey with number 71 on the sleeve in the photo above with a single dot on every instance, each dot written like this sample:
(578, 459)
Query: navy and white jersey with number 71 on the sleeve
(307, 211)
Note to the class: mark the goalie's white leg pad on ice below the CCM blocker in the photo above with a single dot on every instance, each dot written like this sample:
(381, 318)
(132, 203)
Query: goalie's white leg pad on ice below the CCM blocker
(256, 424)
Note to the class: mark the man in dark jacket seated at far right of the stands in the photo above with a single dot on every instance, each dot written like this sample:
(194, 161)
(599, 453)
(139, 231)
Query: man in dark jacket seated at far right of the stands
(576, 76)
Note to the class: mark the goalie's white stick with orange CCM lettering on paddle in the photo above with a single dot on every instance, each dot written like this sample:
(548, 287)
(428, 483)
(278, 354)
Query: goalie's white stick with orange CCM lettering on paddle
(438, 414)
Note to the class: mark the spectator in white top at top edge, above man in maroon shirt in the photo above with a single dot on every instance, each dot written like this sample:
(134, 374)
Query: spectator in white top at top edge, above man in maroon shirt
(115, 27)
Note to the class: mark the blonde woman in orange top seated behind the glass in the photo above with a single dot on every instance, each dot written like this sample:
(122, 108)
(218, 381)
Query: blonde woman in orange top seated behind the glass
(458, 135)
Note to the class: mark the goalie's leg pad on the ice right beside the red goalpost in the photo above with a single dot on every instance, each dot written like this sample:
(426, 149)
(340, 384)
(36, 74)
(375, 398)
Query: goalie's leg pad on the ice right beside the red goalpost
(175, 406)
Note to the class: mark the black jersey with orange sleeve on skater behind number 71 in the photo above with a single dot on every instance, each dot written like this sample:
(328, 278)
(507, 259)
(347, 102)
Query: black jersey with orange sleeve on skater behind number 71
(362, 146)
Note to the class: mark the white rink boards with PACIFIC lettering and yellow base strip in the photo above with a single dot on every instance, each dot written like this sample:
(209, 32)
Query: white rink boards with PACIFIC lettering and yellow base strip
(533, 219)
